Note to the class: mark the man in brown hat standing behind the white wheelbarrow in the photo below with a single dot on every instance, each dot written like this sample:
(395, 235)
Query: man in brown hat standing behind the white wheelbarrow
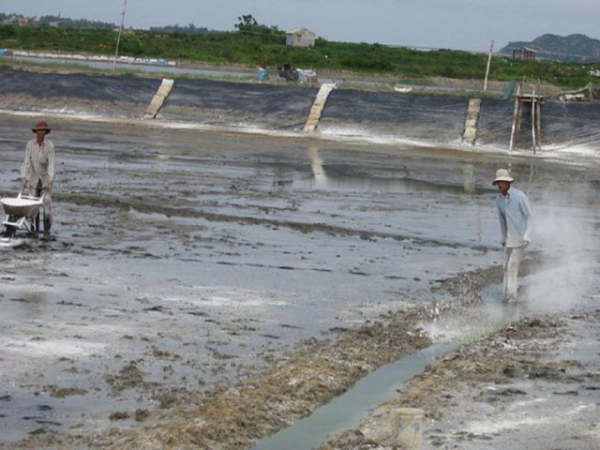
(39, 161)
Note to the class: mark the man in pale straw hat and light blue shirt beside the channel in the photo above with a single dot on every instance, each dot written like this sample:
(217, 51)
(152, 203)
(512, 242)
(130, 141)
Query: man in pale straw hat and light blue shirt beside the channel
(516, 222)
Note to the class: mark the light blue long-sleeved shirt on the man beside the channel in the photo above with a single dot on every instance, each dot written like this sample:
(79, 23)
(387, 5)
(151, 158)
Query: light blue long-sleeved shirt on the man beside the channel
(516, 219)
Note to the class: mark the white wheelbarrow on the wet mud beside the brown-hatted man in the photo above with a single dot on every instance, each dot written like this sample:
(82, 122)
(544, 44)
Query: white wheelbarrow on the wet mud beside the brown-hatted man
(22, 213)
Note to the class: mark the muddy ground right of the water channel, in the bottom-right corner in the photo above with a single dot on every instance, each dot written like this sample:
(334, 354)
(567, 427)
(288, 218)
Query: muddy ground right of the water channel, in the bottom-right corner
(533, 384)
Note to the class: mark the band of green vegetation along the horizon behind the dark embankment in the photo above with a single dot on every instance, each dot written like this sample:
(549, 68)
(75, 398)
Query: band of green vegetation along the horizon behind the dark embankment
(253, 43)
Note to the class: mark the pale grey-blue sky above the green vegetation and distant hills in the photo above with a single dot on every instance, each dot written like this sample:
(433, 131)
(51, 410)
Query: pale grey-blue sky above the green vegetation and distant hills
(469, 25)
